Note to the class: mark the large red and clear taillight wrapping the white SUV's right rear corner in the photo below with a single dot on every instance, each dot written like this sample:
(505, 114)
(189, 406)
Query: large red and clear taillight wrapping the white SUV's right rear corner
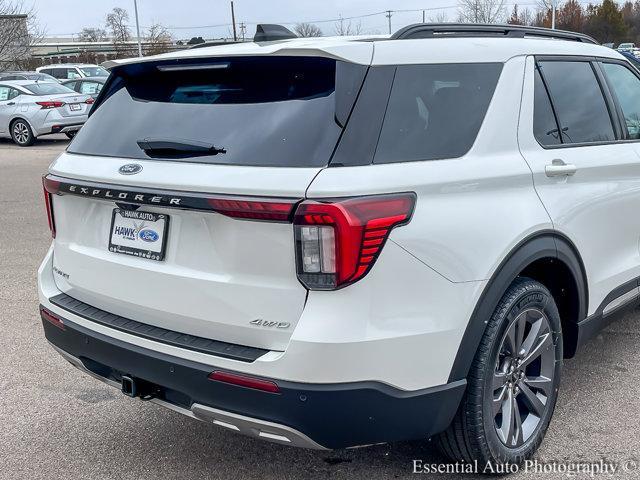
(338, 241)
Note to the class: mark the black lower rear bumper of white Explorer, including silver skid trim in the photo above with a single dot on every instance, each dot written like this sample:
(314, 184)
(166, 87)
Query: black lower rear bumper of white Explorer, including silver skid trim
(306, 415)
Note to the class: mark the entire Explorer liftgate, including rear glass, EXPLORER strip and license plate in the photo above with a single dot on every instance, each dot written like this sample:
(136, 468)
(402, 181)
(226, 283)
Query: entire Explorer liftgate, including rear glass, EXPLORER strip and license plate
(256, 129)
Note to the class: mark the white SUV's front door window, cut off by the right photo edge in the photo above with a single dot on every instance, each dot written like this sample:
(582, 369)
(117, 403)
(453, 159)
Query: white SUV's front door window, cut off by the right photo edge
(626, 87)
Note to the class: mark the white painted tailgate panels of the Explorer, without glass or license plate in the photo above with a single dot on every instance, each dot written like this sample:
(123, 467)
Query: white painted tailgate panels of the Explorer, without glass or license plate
(222, 278)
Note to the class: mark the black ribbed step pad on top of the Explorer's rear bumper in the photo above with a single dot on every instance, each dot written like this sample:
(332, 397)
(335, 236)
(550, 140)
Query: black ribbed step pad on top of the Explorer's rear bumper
(177, 339)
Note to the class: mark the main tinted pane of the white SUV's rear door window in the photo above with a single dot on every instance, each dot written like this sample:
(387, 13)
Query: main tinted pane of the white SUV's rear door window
(577, 98)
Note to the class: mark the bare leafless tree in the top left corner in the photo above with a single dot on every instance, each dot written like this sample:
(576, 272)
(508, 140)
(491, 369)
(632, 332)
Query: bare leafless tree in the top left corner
(18, 34)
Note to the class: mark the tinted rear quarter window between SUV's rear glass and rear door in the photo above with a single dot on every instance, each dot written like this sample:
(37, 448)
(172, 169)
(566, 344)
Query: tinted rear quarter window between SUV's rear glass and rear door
(435, 111)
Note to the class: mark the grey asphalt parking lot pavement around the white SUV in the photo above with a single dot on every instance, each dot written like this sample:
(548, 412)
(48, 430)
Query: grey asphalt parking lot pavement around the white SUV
(56, 423)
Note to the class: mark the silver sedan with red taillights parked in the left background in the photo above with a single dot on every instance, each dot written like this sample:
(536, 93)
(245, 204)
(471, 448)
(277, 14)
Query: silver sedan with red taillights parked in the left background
(31, 109)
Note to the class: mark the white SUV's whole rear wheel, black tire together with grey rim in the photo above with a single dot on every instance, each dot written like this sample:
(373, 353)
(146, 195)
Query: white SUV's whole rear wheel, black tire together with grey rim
(481, 430)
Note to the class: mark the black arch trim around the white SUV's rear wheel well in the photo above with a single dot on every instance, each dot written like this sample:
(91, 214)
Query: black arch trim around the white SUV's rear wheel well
(539, 245)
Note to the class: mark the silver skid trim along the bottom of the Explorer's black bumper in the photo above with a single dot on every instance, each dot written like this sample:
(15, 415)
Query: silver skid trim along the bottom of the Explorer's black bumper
(251, 427)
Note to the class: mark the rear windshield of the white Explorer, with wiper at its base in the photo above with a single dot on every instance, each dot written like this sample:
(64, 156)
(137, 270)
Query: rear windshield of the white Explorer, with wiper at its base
(256, 111)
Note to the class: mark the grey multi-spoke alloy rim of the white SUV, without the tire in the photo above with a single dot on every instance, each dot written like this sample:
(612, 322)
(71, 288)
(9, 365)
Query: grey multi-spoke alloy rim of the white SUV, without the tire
(523, 384)
